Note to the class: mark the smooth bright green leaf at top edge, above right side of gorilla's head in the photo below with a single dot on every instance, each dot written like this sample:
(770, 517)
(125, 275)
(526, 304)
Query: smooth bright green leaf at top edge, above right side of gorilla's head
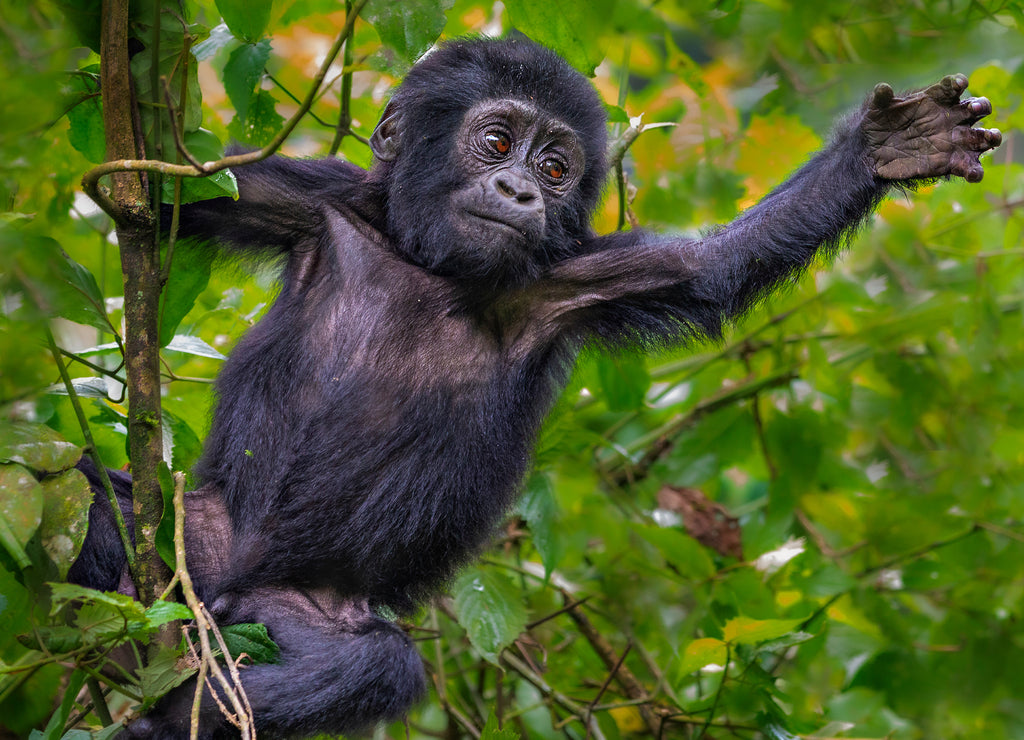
(572, 29)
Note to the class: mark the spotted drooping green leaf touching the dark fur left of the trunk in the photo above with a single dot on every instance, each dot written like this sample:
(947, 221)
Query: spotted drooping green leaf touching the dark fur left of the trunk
(67, 499)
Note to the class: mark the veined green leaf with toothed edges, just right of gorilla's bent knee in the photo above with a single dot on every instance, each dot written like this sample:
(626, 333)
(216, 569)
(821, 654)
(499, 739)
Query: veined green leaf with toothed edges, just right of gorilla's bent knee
(490, 610)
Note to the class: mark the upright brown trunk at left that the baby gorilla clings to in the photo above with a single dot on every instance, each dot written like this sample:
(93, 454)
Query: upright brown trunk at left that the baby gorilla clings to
(141, 270)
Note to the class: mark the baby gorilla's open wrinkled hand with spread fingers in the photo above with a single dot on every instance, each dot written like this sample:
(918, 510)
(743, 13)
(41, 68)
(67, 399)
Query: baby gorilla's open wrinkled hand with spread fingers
(928, 134)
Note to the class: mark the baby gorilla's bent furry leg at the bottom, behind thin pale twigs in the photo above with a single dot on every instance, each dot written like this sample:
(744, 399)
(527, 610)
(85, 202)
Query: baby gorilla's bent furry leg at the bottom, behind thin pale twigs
(339, 665)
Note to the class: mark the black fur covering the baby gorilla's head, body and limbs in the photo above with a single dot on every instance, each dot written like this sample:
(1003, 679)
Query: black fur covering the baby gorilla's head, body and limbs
(372, 430)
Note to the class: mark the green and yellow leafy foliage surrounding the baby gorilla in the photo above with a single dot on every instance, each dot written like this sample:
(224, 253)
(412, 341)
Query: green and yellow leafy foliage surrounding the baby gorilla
(814, 530)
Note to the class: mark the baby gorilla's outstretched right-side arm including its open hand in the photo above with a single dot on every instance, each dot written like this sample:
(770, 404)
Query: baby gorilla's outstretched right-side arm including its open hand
(637, 286)
